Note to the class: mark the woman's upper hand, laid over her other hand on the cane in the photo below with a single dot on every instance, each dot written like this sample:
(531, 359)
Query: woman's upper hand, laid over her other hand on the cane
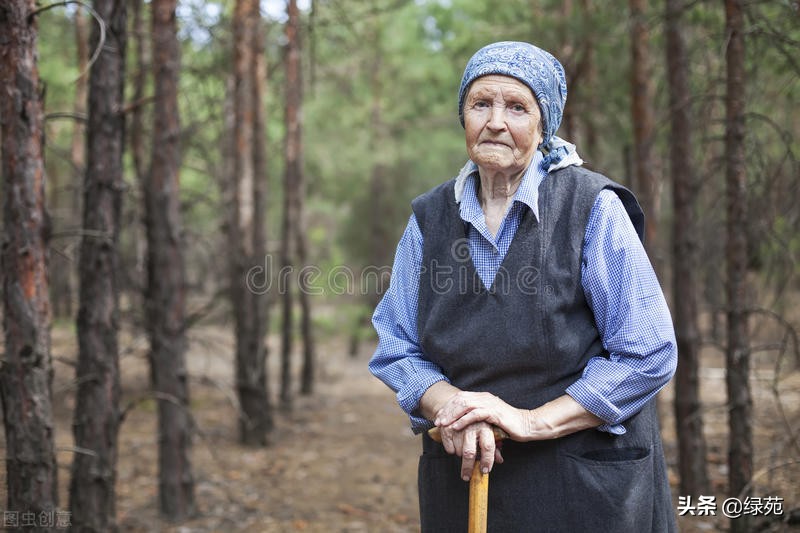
(464, 409)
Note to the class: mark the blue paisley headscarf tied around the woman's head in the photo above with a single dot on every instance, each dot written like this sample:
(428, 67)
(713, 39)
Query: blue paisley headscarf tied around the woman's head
(540, 71)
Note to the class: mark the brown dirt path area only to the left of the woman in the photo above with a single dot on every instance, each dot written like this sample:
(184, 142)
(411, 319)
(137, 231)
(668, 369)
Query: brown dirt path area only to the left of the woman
(343, 460)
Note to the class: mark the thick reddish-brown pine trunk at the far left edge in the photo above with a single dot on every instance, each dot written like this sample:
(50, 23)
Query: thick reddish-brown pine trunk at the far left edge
(26, 374)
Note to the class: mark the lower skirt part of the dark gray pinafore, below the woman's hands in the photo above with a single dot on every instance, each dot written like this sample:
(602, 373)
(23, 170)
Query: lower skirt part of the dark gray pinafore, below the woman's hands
(587, 481)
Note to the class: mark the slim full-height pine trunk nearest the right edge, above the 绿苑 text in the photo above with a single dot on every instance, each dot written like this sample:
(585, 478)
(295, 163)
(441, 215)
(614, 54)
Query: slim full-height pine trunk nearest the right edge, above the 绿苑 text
(740, 451)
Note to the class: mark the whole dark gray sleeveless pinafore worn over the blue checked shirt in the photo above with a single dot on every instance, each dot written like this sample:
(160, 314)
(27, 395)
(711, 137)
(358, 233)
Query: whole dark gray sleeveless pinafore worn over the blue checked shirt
(526, 339)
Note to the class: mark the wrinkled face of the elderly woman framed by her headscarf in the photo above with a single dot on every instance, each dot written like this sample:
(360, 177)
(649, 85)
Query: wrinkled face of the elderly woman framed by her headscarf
(502, 123)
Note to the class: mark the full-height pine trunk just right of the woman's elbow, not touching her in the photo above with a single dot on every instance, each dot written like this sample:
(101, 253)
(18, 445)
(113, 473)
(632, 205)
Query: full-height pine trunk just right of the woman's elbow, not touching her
(688, 413)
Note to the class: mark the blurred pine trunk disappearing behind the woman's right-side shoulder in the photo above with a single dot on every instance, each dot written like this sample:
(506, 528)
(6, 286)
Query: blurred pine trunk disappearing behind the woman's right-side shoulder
(642, 90)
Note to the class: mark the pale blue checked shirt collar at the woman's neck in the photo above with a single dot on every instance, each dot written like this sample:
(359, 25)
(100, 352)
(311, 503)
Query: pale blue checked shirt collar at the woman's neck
(527, 192)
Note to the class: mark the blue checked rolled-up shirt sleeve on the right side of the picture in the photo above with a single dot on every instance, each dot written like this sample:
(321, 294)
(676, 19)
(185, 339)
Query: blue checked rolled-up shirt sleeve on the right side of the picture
(631, 315)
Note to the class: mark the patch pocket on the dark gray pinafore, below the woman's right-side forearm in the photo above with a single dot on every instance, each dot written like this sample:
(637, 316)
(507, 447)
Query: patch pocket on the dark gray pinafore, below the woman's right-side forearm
(609, 489)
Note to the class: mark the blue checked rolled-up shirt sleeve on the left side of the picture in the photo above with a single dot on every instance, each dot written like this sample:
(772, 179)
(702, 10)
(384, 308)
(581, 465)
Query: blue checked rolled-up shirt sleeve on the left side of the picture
(398, 360)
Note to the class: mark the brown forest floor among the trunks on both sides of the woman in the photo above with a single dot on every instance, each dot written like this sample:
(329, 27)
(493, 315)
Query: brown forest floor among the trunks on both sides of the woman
(344, 459)
